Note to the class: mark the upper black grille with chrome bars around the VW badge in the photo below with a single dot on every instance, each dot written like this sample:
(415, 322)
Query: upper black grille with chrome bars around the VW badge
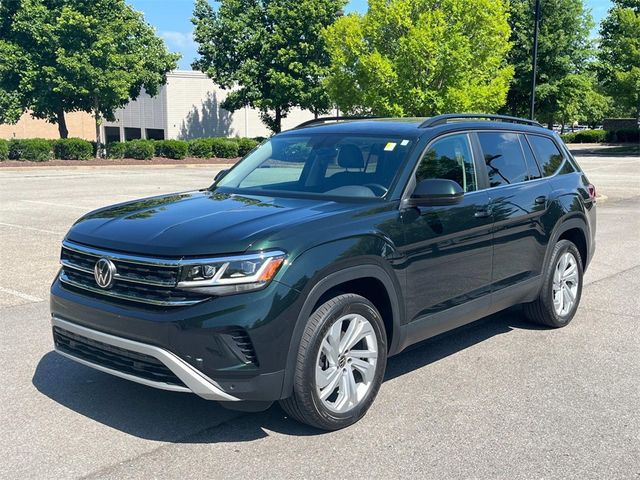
(137, 279)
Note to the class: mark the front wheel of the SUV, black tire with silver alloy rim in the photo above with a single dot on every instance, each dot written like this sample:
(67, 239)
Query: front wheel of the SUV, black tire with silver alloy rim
(318, 363)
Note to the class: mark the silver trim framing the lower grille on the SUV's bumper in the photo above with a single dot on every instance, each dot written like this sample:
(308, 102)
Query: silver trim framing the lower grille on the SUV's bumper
(191, 379)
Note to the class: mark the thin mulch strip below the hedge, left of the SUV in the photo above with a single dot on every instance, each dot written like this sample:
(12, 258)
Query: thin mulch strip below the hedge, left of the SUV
(122, 162)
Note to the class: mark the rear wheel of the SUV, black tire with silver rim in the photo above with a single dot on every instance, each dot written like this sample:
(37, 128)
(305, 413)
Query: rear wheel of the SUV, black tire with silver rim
(544, 310)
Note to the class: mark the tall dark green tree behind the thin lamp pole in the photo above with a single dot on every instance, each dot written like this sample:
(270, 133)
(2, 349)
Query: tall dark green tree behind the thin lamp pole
(564, 49)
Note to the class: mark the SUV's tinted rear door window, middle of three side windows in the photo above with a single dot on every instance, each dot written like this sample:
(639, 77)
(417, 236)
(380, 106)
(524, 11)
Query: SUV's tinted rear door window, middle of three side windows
(503, 157)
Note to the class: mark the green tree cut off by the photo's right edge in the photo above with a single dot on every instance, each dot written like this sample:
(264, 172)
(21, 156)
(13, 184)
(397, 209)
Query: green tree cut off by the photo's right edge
(619, 56)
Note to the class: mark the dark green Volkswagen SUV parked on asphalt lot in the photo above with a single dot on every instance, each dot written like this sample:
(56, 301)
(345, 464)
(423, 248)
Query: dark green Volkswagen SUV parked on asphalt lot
(327, 249)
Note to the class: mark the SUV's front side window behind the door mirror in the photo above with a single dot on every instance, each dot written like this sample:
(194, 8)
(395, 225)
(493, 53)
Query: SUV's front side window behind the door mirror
(449, 158)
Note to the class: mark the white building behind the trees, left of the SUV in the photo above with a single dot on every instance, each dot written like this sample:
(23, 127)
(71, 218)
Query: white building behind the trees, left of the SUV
(188, 106)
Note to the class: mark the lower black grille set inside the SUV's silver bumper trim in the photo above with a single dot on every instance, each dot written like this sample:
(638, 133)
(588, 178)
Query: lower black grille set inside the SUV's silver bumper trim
(115, 358)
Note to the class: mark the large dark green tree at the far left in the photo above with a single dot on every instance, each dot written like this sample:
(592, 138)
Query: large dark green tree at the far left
(59, 56)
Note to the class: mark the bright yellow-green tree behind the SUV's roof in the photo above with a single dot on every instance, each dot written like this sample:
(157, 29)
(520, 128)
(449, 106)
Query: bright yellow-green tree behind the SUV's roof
(420, 57)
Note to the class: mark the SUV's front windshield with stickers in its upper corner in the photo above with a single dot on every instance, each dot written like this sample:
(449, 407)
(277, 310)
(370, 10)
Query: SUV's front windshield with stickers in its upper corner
(332, 165)
